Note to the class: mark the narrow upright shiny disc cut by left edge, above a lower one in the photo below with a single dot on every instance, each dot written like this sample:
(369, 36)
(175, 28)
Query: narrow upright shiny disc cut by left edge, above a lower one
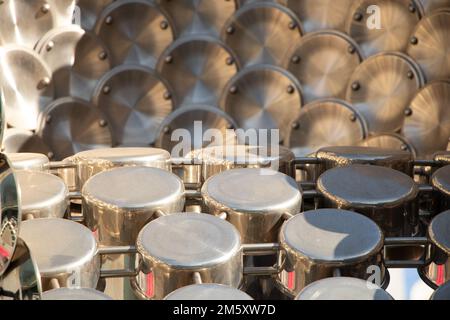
(10, 213)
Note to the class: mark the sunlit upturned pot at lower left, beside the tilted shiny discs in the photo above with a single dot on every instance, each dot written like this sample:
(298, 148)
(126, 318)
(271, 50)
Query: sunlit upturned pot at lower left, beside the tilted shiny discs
(65, 252)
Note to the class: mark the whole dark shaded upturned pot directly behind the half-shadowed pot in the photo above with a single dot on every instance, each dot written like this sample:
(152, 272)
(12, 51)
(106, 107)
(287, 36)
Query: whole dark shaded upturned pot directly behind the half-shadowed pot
(382, 194)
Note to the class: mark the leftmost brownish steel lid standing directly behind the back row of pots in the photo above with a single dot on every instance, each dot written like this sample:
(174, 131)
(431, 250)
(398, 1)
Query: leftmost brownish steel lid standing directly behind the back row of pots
(71, 125)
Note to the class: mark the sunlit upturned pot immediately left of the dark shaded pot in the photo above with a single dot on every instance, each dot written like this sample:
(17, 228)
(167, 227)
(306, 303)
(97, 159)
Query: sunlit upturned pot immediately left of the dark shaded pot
(254, 209)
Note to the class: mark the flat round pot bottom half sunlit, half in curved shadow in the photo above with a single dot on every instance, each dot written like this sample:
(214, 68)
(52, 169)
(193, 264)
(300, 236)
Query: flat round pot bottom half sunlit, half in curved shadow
(332, 236)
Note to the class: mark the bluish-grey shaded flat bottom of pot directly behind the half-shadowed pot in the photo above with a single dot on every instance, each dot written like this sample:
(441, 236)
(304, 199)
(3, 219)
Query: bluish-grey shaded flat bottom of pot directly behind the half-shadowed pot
(367, 186)
